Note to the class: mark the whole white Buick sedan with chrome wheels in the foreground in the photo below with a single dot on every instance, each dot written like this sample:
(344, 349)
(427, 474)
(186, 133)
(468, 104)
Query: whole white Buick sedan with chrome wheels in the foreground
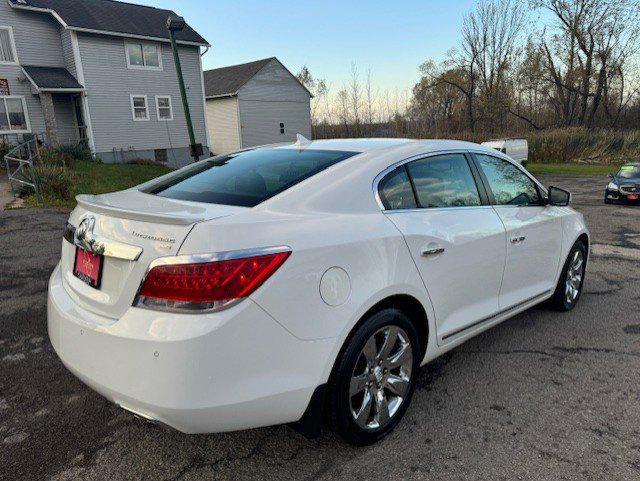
(305, 282)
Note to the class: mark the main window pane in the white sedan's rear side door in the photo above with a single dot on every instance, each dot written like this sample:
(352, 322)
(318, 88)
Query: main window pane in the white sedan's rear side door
(444, 181)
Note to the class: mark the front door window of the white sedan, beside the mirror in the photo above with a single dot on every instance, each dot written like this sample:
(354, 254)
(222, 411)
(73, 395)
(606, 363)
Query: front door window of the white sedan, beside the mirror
(510, 186)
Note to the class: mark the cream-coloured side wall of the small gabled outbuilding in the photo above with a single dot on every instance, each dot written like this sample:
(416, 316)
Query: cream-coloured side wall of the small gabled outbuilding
(222, 120)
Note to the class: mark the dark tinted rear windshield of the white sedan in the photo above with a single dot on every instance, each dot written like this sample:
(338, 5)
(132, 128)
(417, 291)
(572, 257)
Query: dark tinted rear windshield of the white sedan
(247, 178)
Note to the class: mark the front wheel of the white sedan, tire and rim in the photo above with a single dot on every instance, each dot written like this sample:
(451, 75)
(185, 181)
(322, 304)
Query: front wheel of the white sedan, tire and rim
(569, 287)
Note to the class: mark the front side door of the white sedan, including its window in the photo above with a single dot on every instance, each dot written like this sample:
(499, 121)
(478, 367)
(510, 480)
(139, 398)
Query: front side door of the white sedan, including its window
(534, 230)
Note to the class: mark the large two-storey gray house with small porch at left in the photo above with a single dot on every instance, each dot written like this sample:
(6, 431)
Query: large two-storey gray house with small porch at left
(102, 72)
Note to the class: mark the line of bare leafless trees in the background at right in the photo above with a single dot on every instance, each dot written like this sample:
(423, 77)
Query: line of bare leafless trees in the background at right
(519, 66)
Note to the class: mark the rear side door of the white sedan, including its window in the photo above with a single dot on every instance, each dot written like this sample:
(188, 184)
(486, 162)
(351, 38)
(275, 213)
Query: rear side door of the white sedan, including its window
(455, 237)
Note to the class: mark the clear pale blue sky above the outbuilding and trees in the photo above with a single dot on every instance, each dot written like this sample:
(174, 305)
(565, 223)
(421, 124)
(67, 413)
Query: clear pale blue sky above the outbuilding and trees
(388, 38)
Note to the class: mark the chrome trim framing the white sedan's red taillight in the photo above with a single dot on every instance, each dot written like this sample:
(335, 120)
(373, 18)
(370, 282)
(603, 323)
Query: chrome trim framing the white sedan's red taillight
(199, 258)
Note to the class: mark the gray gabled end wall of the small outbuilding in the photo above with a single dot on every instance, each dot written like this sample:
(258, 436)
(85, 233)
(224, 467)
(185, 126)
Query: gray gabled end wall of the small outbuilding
(272, 96)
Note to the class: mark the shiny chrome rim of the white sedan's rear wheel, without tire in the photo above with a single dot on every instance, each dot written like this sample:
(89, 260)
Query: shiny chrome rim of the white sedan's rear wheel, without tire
(380, 379)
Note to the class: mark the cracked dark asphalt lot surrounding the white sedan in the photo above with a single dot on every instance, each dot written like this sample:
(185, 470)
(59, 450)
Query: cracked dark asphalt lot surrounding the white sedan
(542, 396)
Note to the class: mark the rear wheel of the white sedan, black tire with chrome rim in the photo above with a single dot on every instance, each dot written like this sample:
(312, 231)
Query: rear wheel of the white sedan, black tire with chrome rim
(372, 377)
